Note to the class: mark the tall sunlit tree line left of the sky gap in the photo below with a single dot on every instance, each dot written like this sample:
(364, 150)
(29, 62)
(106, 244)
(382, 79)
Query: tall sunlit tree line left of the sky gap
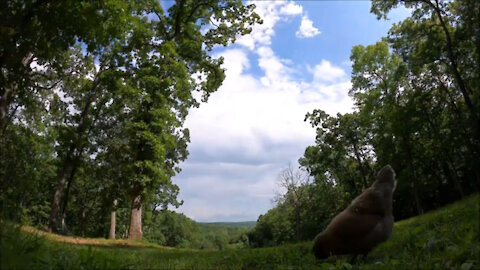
(93, 98)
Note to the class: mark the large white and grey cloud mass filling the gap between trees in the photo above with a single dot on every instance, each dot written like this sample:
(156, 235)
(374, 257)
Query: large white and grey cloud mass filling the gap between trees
(253, 127)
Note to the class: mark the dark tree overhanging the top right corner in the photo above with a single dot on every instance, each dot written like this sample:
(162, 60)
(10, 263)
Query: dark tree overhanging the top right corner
(440, 37)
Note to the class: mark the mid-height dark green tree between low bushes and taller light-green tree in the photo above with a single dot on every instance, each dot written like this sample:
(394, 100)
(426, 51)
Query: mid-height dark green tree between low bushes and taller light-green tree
(342, 151)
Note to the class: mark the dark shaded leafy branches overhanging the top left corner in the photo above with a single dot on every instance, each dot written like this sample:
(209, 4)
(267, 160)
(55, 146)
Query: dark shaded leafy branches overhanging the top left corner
(38, 31)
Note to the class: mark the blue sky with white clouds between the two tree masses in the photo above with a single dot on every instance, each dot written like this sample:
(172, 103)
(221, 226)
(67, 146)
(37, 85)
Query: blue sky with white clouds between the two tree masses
(253, 126)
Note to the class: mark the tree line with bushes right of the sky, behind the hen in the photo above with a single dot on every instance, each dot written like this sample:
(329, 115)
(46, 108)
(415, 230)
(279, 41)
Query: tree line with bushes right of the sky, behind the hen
(417, 107)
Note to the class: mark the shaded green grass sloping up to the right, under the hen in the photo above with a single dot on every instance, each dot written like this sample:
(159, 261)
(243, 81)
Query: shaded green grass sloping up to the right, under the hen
(447, 238)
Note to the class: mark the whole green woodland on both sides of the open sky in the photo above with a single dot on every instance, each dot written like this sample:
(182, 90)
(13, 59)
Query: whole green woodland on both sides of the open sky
(94, 96)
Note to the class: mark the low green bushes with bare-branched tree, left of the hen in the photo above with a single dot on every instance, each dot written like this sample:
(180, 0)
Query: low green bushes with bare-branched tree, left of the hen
(305, 207)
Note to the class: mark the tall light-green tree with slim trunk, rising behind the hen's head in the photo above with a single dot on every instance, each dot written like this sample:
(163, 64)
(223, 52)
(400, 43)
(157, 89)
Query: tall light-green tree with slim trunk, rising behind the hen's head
(379, 86)
